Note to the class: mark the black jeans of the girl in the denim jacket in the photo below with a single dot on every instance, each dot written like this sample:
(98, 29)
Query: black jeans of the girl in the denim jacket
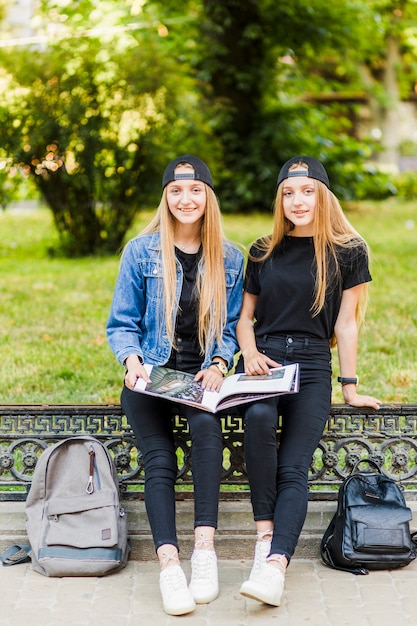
(151, 421)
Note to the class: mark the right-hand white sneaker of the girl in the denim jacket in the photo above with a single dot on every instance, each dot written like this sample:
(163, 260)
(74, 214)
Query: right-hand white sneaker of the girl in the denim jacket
(204, 584)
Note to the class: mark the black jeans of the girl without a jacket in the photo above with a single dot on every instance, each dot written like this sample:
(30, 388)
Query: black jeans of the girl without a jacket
(279, 479)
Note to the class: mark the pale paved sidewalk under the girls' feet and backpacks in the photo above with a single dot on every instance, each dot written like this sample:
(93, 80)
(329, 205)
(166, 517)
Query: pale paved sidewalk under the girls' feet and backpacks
(315, 596)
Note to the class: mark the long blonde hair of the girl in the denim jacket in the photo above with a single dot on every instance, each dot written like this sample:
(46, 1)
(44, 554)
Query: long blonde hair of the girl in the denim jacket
(211, 281)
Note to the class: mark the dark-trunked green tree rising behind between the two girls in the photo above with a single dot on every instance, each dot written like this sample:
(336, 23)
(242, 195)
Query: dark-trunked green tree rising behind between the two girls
(253, 51)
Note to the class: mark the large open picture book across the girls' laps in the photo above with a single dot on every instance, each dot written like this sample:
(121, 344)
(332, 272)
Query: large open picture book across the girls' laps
(237, 389)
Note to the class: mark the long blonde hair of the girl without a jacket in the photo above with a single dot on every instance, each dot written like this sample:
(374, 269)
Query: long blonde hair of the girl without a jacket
(332, 229)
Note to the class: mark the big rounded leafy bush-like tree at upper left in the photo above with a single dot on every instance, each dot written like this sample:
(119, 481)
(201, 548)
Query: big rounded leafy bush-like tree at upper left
(88, 126)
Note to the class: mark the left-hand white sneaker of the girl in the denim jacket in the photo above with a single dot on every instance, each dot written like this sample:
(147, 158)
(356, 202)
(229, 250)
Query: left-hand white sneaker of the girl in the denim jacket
(176, 596)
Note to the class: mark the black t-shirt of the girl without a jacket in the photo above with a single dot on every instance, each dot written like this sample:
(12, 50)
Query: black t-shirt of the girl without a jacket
(284, 284)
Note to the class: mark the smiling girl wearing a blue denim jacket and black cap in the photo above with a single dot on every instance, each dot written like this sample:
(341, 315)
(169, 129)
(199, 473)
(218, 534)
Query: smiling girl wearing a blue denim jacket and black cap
(176, 303)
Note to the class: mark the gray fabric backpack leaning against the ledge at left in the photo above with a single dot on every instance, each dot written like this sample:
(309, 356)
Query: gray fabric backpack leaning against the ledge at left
(75, 524)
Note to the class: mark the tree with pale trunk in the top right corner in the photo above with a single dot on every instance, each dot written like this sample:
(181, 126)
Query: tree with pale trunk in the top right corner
(380, 69)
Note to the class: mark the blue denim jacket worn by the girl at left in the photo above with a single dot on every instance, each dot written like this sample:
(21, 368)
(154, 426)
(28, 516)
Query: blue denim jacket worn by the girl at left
(136, 323)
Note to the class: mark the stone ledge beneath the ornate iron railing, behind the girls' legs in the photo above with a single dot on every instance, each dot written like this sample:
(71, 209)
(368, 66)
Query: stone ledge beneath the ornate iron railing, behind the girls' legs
(234, 538)
